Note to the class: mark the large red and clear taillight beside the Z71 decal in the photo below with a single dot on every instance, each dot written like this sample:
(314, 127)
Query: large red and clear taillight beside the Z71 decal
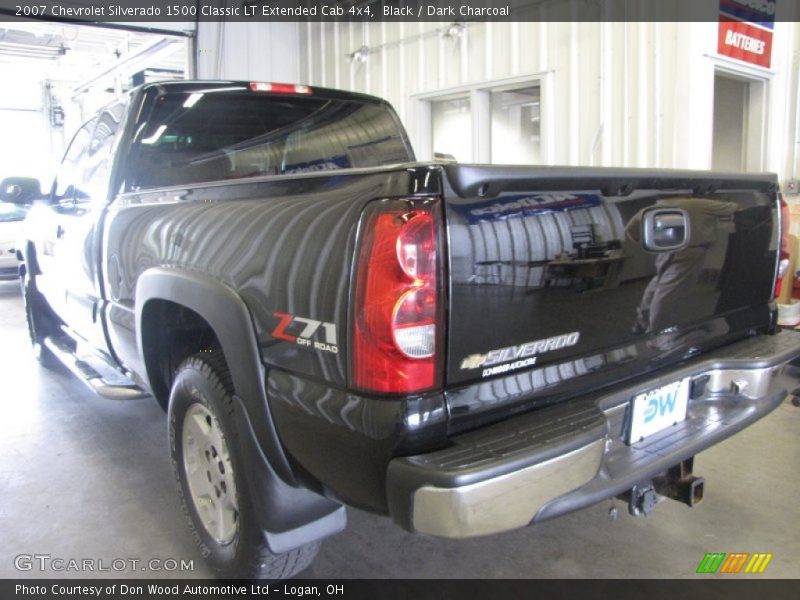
(398, 327)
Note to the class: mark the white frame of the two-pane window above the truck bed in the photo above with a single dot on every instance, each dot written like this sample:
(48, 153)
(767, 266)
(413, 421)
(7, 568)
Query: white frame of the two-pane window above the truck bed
(481, 113)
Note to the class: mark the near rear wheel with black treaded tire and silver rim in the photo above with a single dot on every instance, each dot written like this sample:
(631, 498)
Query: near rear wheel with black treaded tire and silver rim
(202, 385)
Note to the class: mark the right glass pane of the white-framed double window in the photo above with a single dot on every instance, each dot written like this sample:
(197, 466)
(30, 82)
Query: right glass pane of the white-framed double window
(516, 127)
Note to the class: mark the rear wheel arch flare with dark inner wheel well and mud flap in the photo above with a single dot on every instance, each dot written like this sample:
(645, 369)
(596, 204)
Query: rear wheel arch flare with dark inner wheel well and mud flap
(169, 300)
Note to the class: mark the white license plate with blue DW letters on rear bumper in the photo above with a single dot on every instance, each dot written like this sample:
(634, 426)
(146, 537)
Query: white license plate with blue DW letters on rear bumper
(658, 409)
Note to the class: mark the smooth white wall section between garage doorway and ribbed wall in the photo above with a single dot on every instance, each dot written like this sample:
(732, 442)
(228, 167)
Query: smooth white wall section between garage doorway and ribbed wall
(250, 51)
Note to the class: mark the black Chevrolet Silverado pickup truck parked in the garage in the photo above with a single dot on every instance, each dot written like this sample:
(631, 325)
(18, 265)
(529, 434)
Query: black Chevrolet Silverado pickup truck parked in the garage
(466, 348)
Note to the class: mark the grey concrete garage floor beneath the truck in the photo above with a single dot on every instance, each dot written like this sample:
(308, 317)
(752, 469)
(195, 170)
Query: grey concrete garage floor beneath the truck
(82, 477)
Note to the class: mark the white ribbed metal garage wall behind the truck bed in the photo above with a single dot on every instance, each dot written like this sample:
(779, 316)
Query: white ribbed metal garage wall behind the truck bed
(623, 94)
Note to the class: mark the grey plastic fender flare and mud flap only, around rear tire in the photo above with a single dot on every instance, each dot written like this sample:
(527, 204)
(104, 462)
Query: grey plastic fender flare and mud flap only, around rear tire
(290, 516)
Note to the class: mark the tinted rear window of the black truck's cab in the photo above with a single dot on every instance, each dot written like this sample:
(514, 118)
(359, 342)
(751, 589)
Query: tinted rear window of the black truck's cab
(199, 135)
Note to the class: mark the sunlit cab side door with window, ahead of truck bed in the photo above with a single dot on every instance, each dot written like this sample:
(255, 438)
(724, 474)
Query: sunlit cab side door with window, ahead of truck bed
(70, 239)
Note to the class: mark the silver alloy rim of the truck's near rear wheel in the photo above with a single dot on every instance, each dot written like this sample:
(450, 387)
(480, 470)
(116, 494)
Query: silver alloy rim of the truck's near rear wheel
(209, 474)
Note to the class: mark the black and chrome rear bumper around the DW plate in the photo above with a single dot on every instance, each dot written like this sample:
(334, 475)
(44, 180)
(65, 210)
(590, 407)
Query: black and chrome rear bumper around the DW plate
(559, 459)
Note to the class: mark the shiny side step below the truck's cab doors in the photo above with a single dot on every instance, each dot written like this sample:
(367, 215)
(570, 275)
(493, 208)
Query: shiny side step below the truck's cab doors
(103, 379)
